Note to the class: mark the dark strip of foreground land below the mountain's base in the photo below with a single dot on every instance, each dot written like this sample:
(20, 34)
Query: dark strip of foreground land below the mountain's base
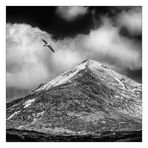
(15, 135)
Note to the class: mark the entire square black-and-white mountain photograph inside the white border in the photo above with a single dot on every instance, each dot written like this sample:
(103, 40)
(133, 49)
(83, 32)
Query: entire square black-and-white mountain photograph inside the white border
(74, 73)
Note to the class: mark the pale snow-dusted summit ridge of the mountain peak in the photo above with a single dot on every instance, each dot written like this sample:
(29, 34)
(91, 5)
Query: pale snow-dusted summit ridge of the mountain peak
(97, 69)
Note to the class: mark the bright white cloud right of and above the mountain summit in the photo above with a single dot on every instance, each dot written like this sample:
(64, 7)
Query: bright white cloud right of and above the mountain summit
(105, 44)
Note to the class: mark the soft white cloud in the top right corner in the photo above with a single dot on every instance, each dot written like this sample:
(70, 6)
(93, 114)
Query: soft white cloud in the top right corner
(131, 20)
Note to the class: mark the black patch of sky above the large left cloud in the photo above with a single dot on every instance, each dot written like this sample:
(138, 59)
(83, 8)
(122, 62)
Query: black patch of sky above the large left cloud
(46, 18)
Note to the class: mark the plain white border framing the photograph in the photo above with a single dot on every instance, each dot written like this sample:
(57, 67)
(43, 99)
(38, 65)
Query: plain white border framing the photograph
(4, 3)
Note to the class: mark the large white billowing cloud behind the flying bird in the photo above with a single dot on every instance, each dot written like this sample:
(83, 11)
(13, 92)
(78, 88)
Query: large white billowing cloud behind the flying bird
(29, 63)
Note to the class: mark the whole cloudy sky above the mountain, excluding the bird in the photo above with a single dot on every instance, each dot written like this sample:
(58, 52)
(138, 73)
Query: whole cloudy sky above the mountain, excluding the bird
(110, 35)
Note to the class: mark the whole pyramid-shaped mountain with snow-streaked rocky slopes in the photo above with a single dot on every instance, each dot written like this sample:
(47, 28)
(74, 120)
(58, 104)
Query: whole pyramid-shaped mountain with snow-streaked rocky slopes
(89, 99)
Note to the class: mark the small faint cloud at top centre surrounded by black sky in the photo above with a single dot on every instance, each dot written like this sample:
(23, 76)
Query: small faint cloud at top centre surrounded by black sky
(70, 13)
